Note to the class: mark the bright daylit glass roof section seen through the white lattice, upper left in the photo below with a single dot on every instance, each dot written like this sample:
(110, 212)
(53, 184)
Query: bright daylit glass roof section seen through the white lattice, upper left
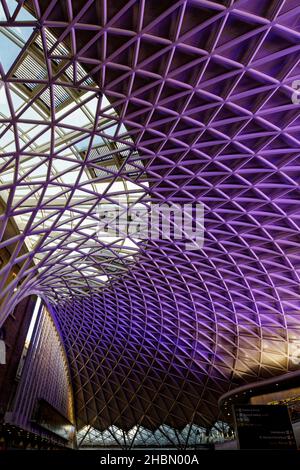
(55, 159)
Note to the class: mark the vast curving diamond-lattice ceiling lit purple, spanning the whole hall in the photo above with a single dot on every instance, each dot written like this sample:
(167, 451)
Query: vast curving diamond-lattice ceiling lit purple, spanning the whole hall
(198, 108)
